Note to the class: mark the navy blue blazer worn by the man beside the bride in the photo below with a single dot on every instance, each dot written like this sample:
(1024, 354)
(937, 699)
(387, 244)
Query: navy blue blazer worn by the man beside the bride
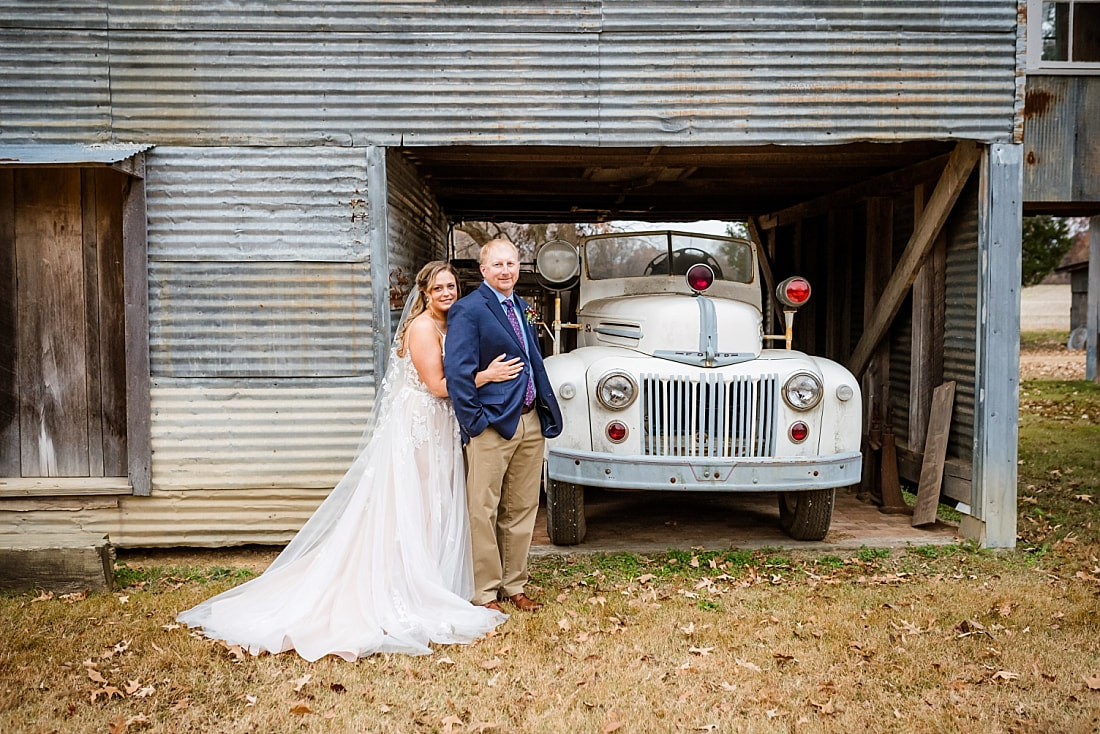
(478, 332)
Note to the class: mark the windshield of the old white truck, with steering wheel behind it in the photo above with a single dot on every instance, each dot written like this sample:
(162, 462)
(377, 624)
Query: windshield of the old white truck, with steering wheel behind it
(636, 255)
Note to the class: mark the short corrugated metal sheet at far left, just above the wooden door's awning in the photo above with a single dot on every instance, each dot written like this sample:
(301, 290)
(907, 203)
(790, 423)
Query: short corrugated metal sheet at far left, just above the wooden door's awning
(56, 86)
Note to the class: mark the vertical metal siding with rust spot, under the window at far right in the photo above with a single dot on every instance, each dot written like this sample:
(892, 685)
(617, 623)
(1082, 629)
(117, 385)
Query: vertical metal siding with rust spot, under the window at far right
(1062, 161)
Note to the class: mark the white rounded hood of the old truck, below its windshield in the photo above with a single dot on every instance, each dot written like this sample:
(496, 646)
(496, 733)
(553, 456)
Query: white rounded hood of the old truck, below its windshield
(697, 331)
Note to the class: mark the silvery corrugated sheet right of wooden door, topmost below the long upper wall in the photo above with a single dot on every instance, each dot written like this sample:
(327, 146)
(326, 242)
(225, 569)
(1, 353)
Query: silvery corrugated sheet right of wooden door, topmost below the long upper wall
(245, 204)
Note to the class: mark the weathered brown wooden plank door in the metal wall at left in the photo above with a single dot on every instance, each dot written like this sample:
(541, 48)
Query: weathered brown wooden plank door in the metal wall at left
(62, 328)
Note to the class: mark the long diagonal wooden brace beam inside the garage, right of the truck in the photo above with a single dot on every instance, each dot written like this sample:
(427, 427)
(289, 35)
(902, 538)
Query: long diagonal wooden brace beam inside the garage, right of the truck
(948, 191)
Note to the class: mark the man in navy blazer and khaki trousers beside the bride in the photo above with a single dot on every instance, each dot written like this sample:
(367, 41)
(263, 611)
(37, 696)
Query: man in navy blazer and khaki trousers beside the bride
(503, 425)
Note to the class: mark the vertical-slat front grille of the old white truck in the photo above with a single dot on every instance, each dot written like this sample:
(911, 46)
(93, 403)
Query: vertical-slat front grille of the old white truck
(709, 415)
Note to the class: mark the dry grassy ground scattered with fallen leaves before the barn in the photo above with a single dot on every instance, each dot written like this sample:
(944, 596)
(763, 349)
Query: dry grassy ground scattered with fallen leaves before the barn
(921, 640)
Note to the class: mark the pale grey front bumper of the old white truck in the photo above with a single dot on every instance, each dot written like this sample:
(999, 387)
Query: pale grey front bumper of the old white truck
(700, 474)
